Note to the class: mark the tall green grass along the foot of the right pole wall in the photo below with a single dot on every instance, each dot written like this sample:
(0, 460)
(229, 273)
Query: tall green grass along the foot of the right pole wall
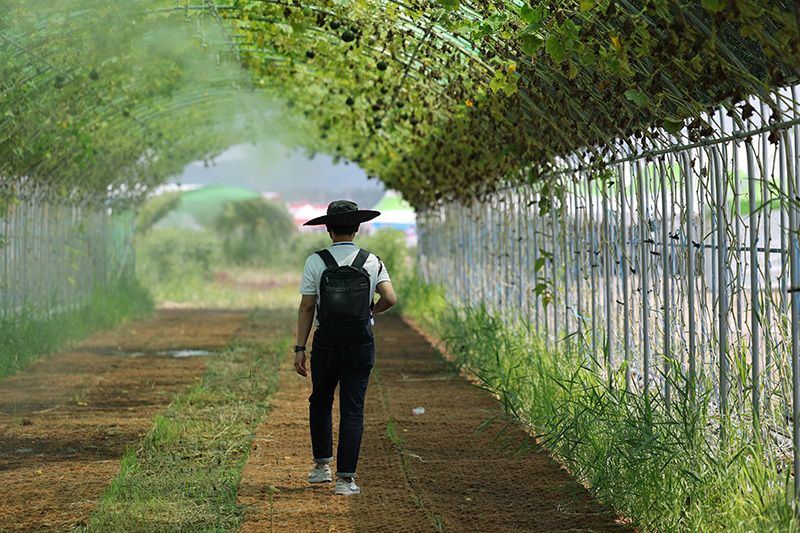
(662, 468)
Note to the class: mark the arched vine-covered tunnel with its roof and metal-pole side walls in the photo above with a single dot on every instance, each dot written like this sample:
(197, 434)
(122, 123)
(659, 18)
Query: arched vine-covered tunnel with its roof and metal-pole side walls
(475, 111)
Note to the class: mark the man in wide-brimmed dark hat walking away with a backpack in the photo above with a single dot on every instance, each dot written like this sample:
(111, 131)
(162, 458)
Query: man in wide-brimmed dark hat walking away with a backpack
(337, 298)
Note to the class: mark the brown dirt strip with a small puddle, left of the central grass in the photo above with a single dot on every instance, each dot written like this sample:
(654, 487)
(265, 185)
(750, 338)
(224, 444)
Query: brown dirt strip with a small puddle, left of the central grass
(65, 422)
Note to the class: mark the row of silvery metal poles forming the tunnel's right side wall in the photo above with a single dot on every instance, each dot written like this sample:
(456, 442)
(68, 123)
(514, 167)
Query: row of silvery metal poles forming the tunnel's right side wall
(676, 270)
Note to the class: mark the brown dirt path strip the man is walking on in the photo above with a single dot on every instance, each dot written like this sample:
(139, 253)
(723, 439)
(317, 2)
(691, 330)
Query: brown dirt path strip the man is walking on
(429, 472)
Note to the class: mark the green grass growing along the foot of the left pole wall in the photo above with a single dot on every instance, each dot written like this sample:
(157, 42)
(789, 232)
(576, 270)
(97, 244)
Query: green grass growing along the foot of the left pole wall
(33, 334)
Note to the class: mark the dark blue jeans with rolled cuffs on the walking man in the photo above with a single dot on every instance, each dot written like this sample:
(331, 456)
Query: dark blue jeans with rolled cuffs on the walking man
(349, 367)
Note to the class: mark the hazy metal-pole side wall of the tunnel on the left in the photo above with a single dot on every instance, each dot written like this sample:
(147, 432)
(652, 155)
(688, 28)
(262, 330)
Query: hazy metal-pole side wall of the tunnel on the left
(52, 257)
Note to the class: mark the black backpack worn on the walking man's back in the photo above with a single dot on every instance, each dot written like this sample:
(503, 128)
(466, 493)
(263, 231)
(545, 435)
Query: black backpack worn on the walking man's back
(345, 302)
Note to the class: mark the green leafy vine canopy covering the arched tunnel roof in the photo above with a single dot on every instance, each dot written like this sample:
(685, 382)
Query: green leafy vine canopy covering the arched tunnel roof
(442, 101)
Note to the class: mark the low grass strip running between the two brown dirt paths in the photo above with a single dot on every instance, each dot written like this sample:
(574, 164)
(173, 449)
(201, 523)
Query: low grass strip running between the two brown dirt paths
(185, 474)
